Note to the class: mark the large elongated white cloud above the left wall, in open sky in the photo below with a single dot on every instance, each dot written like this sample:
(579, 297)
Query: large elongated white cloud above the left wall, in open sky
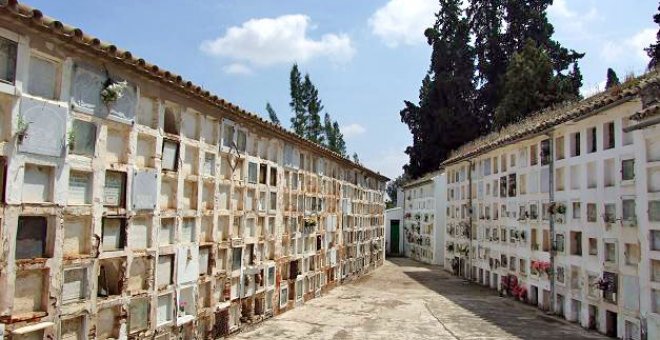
(269, 41)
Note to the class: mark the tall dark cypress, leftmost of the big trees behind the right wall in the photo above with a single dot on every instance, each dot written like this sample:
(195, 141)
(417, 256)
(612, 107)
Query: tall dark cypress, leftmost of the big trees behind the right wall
(445, 117)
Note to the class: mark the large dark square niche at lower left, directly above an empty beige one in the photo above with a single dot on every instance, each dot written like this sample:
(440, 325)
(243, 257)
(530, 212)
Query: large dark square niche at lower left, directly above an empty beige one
(33, 239)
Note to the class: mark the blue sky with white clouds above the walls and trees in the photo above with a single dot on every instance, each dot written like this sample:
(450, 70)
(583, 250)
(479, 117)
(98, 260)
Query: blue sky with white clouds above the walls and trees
(365, 56)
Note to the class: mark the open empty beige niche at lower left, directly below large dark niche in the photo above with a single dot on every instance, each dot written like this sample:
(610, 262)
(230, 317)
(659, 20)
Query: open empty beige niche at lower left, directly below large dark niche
(31, 292)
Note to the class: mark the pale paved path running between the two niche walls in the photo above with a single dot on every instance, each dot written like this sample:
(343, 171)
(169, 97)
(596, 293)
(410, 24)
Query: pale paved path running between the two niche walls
(407, 300)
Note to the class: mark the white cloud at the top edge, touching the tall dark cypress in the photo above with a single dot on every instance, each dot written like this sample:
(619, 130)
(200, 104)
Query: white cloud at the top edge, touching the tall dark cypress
(402, 22)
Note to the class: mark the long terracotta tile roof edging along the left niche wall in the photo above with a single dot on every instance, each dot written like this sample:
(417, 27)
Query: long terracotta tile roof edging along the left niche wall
(74, 36)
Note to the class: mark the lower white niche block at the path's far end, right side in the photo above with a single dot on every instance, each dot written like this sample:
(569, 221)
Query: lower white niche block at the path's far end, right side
(424, 218)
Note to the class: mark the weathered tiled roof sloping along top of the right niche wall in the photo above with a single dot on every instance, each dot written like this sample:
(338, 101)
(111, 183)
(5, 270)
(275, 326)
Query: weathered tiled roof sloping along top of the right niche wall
(548, 118)
